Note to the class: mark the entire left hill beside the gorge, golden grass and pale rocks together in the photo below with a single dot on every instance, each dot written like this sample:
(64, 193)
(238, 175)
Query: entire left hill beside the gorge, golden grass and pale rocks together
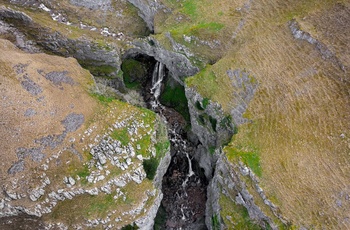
(86, 154)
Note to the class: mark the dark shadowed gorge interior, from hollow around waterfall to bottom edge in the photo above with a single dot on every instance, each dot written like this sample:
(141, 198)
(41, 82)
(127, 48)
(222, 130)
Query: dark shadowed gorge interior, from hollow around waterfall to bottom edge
(184, 184)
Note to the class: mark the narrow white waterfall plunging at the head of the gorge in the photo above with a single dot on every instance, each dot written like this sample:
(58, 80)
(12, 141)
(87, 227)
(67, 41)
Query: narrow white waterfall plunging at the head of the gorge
(157, 78)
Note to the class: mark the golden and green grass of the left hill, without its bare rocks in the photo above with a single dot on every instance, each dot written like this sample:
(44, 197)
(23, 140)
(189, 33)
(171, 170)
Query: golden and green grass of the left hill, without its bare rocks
(99, 114)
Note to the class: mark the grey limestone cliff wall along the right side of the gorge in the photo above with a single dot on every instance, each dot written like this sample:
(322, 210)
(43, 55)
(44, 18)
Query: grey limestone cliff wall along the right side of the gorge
(229, 181)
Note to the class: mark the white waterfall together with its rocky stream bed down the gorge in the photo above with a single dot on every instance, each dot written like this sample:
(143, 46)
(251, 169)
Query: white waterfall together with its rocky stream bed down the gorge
(184, 190)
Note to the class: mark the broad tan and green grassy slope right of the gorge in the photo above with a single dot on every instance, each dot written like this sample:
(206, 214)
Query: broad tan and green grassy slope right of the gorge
(301, 107)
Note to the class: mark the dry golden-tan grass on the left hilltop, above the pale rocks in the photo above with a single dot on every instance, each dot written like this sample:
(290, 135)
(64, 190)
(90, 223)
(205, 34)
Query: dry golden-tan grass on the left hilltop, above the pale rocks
(51, 107)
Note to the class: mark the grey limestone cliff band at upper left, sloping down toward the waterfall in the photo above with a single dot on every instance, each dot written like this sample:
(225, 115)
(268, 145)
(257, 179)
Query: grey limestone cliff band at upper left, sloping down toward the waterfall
(87, 52)
